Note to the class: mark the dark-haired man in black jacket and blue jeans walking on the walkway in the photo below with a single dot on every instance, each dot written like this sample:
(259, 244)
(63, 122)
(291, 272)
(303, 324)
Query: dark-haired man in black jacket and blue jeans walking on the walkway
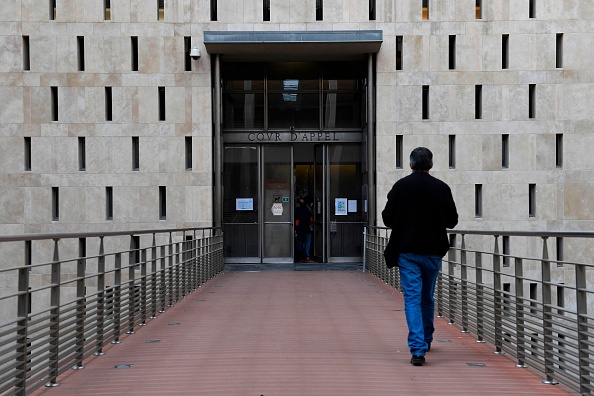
(419, 209)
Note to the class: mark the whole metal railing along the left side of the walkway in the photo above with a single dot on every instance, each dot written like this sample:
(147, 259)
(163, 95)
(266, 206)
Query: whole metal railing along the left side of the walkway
(60, 305)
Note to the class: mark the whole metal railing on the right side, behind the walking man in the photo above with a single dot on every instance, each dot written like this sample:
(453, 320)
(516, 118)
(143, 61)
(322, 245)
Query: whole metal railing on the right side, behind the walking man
(536, 309)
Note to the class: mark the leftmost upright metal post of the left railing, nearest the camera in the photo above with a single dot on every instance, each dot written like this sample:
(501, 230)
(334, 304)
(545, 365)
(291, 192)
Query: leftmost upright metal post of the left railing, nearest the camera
(23, 326)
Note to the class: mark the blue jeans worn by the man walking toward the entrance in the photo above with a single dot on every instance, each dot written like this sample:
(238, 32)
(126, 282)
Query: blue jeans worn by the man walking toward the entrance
(418, 274)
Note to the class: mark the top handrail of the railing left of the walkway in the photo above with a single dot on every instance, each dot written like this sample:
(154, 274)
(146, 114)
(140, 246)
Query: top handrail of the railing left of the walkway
(95, 234)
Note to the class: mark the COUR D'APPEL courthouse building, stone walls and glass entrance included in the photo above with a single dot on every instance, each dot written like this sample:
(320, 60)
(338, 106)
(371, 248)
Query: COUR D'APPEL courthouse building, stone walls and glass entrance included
(150, 114)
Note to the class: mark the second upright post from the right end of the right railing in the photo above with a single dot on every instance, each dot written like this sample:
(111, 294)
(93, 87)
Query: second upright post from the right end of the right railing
(547, 315)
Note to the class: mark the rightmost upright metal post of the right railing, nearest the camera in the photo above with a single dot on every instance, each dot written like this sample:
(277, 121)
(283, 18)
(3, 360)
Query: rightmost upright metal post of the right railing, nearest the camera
(583, 329)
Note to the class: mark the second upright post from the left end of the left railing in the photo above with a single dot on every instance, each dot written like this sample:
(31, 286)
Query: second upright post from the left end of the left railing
(54, 328)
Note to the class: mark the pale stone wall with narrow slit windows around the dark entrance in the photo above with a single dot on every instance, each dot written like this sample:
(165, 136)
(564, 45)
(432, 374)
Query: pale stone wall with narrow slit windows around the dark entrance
(561, 105)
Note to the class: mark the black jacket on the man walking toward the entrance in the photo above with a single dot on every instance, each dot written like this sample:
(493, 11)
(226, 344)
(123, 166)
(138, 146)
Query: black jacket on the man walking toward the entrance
(419, 209)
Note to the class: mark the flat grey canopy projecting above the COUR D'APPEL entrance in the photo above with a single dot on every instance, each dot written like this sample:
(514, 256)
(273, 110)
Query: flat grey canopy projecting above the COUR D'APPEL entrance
(293, 45)
